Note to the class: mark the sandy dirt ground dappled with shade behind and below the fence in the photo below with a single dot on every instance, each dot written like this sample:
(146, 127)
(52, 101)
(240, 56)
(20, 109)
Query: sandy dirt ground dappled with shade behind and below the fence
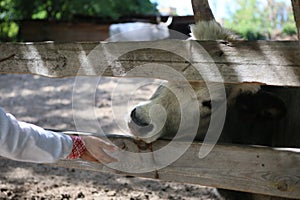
(48, 103)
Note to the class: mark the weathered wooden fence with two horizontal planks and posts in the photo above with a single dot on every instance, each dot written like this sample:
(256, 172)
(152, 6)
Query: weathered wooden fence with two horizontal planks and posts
(249, 168)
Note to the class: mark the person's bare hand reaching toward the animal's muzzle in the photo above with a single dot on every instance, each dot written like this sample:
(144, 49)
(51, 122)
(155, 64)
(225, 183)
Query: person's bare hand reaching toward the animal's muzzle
(95, 150)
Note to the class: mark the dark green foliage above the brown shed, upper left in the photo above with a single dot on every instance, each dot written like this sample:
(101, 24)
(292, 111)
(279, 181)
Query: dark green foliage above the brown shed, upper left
(12, 11)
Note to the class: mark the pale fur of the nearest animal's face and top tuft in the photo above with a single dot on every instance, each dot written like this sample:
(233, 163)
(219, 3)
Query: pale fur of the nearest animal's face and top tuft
(144, 127)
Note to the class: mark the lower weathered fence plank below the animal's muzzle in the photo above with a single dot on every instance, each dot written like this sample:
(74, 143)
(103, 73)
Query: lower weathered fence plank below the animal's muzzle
(262, 170)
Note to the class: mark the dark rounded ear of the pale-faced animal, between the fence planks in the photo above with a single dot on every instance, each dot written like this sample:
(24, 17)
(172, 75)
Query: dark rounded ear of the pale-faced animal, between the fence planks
(263, 106)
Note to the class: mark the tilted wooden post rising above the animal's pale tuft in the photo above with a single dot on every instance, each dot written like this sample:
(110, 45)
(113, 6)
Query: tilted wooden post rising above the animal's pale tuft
(202, 11)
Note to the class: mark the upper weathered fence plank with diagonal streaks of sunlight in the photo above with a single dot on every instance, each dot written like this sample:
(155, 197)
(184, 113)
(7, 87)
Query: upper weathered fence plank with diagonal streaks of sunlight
(271, 63)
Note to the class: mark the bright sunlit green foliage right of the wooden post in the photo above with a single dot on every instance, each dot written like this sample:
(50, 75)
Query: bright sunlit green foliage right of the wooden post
(254, 20)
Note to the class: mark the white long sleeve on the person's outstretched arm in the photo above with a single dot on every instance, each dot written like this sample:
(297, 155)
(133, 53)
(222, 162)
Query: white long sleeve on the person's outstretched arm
(27, 142)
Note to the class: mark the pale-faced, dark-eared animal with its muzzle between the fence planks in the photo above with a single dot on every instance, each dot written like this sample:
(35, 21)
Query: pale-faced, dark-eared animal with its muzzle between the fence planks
(247, 101)
